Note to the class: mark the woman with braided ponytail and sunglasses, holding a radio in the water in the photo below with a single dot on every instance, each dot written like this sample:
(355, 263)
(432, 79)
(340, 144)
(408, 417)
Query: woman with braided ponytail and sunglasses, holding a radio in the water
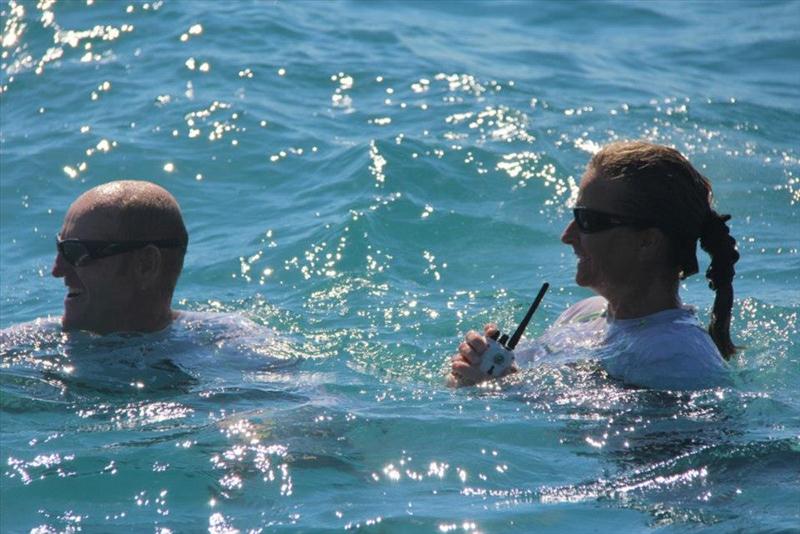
(640, 212)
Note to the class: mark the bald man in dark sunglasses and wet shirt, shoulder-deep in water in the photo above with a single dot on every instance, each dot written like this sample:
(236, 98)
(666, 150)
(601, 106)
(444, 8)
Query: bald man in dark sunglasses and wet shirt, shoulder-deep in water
(120, 252)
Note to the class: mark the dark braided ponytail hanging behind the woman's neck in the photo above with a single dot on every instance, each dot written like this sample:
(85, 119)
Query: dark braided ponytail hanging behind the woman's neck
(716, 240)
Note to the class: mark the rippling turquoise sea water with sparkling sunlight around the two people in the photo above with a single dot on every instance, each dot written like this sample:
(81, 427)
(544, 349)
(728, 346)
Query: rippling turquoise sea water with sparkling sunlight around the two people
(372, 180)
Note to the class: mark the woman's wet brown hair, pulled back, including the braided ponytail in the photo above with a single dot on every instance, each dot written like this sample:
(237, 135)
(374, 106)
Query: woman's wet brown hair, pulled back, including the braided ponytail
(666, 188)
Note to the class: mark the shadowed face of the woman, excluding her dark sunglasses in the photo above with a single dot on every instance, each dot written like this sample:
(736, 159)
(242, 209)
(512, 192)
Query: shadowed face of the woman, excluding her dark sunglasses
(608, 261)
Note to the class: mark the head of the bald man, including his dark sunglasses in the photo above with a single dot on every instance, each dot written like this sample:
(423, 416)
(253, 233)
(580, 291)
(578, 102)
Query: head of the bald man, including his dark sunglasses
(120, 252)
